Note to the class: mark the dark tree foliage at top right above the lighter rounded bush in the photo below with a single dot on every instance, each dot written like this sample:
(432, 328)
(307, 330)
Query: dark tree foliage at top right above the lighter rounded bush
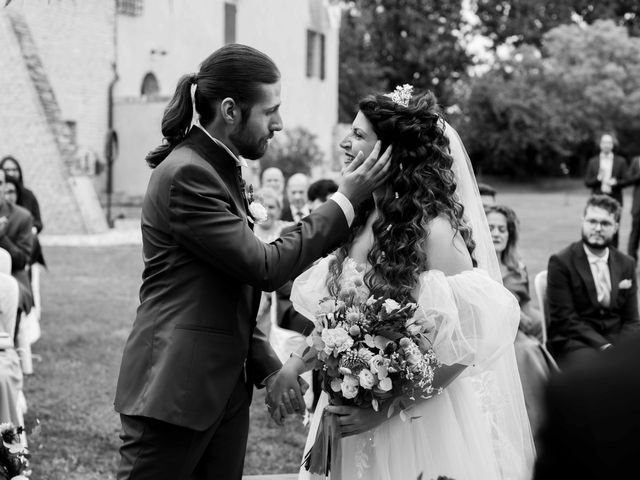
(526, 21)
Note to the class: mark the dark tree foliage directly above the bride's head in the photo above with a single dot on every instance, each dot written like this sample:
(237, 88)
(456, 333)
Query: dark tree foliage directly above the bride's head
(384, 43)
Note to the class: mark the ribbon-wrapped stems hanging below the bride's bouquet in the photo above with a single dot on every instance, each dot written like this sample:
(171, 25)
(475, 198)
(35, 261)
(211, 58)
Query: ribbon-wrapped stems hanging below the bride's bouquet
(325, 451)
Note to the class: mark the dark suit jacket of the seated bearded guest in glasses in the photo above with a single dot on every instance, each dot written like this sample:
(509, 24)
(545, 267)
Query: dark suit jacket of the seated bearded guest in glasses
(577, 320)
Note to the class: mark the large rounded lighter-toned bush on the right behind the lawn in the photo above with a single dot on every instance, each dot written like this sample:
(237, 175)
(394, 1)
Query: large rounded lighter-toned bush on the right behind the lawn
(539, 110)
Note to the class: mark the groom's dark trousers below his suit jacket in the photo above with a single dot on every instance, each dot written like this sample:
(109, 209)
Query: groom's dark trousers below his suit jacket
(155, 450)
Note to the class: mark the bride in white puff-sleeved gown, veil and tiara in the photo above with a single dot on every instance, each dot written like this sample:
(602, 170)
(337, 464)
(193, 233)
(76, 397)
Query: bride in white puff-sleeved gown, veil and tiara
(423, 238)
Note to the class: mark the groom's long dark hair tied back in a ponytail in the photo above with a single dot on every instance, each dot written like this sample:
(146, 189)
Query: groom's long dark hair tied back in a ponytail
(234, 71)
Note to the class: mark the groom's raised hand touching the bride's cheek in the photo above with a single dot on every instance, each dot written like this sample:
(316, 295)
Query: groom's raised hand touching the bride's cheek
(361, 177)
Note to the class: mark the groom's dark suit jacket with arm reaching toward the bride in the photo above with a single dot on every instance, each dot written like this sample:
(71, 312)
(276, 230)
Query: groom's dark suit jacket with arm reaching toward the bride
(195, 328)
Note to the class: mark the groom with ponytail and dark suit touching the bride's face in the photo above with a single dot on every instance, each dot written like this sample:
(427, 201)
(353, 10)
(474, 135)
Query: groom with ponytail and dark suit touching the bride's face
(194, 352)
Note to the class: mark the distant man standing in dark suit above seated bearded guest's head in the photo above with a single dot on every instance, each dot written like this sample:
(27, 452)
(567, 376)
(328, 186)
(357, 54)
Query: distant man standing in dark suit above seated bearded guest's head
(606, 173)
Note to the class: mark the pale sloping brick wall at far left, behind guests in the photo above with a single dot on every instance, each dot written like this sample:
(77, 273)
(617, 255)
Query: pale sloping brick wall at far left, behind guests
(44, 143)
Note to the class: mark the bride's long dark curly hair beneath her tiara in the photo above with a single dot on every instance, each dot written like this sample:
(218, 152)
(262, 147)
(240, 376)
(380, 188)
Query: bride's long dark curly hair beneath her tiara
(422, 187)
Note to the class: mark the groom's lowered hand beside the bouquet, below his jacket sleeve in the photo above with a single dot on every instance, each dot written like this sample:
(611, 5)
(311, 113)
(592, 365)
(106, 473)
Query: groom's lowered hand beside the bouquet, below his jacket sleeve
(285, 392)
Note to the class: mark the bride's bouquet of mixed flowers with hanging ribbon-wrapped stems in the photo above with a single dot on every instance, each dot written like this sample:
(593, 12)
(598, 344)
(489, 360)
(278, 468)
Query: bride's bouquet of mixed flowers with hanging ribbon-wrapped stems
(372, 352)
